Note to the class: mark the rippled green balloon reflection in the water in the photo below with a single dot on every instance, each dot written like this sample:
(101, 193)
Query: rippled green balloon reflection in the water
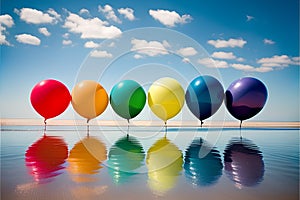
(124, 158)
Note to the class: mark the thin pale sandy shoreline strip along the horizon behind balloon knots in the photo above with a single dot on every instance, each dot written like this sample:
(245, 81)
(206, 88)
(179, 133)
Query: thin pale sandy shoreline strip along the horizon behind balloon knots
(55, 122)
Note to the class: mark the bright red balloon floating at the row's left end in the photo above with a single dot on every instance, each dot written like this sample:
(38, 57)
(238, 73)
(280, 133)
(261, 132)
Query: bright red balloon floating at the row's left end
(50, 98)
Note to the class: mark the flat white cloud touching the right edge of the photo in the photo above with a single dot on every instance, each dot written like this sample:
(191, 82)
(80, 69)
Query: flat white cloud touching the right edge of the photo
(278, 61)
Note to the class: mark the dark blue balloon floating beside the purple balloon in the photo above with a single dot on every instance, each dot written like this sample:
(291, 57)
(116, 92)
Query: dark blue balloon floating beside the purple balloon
(204, 96)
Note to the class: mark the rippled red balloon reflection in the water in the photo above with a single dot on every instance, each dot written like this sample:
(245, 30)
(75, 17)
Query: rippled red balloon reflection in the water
(45, 158)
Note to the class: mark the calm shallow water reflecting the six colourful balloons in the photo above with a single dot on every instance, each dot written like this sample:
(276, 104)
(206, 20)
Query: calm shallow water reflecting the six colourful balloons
(70, 163)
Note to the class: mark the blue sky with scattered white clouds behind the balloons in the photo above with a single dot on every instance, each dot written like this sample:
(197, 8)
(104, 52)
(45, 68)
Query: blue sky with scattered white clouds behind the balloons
(56, 39)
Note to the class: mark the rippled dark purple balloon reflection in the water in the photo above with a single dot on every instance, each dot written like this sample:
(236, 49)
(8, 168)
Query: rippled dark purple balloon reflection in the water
(243, 163)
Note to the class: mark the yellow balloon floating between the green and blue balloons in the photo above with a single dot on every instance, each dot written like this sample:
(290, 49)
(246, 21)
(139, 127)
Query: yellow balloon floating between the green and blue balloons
(166, 98)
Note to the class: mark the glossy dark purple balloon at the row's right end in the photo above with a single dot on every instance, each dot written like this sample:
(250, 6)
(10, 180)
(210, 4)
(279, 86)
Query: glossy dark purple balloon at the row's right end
(245, 97)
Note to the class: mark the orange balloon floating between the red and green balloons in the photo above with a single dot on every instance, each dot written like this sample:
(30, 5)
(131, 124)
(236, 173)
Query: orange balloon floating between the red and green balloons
(89, 99)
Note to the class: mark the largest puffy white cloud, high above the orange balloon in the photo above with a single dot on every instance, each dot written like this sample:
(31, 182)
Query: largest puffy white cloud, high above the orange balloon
(91, 28)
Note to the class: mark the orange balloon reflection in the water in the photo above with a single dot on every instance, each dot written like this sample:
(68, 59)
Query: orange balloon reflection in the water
(85, 159)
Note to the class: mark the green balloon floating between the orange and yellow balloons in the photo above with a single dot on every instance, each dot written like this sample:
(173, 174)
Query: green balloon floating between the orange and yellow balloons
(127, 98)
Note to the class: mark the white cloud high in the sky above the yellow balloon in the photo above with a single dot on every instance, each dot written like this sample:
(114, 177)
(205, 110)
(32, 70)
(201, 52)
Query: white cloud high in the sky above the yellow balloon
(169, 18)
